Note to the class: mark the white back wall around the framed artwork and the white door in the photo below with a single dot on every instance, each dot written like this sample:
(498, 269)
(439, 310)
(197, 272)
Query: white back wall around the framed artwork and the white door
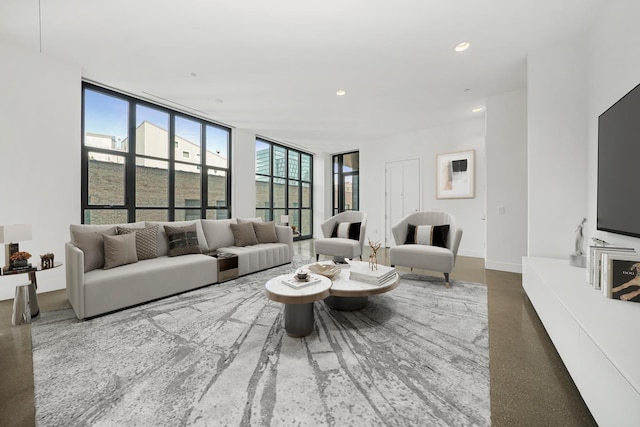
(425, 144)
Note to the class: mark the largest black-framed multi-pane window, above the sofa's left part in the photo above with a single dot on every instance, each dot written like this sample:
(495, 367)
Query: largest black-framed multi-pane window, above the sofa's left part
(141, 161)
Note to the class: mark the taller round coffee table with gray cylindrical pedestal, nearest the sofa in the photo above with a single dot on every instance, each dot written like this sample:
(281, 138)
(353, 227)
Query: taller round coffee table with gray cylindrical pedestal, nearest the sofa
(298, 303)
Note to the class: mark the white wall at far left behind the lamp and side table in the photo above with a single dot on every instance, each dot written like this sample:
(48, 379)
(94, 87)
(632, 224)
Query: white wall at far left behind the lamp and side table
(40, 156)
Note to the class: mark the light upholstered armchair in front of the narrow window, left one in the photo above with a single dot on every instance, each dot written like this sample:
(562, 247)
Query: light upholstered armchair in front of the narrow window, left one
(343, 235)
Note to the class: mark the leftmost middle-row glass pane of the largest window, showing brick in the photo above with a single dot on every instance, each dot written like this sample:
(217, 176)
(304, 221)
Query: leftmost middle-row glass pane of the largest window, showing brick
(106, 179)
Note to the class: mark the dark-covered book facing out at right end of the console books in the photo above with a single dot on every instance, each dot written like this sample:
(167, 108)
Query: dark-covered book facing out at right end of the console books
(621, 276)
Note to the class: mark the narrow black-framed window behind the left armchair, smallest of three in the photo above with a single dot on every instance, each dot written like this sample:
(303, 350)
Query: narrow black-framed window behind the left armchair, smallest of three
(346, 182)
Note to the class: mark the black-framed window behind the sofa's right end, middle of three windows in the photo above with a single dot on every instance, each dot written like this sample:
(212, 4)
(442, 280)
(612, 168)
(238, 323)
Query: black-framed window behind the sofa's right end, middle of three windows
(284, 182)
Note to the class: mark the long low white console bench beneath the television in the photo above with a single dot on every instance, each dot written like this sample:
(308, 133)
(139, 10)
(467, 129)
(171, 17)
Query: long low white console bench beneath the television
(598, 338)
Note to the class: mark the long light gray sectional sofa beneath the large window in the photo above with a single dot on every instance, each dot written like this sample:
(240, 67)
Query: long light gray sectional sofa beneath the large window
(93, 289)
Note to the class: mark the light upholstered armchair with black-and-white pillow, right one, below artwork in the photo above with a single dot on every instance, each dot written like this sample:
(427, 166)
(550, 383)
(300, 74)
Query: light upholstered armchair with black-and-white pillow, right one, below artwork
(426, 240)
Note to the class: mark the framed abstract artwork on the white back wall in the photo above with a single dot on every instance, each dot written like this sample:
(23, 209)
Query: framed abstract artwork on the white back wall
(455, 175)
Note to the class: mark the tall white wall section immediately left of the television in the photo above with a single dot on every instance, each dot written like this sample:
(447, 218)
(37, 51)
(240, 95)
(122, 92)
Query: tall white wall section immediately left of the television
(557, 147)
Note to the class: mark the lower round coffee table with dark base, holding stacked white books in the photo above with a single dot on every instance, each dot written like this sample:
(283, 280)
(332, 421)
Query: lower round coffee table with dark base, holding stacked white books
(347, 294)
